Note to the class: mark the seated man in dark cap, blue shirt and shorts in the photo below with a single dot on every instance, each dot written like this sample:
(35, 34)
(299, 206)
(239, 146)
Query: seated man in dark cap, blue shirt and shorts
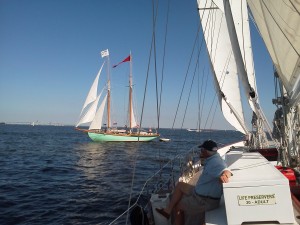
(208, 190)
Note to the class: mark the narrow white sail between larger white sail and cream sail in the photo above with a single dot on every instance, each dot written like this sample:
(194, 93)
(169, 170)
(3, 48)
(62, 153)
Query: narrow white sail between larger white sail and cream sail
(236, 15)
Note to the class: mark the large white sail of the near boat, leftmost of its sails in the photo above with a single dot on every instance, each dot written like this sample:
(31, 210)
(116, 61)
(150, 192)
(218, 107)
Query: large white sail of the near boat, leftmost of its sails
(222, 61)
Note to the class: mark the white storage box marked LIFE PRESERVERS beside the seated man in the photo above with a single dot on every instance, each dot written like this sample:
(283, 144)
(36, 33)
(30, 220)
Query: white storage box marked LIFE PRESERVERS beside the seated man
(257, 191)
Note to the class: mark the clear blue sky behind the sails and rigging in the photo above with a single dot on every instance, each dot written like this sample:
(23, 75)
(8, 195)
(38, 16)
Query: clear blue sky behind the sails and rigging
(50, 55)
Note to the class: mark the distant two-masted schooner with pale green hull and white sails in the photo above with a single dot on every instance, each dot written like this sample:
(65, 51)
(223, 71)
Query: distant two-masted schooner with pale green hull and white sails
(93, 114)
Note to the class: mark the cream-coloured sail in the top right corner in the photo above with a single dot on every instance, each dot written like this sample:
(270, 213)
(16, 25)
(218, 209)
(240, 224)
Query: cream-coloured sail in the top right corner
(278, 22)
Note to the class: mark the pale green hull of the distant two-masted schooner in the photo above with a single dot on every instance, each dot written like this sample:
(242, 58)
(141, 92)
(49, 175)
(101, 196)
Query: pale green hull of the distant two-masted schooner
(109, 137)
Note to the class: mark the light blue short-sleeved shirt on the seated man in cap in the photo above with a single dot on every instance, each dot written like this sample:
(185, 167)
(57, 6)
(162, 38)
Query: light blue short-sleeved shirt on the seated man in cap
(209, 183)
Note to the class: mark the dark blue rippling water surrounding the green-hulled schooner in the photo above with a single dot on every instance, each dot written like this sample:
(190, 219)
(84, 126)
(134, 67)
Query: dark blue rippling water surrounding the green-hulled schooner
(56, 175)
